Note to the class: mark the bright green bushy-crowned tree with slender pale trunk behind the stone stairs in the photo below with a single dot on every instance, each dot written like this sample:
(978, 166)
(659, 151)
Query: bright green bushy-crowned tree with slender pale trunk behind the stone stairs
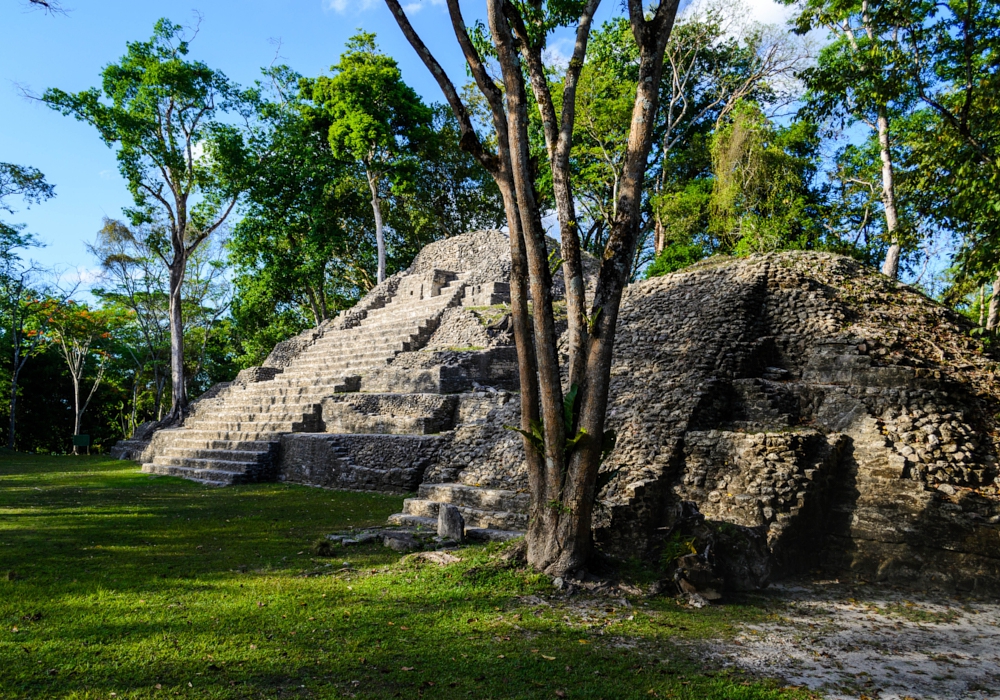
(374, 118)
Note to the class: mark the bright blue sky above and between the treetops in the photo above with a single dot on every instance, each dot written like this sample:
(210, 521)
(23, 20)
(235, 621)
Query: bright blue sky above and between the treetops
(38, 51)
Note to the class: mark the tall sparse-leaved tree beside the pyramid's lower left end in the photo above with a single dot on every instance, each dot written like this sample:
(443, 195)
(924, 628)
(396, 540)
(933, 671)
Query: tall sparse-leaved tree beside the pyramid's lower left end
(184, 163)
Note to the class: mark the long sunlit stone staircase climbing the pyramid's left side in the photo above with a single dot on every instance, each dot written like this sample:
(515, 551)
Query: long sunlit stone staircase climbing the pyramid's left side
(233, 438)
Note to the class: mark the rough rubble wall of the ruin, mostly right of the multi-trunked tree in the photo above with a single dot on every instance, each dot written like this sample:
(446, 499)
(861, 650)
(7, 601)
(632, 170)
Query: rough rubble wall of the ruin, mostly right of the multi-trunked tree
(851, 416)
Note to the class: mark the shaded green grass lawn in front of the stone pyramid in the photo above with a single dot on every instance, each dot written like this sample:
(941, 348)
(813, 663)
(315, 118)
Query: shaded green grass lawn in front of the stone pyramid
(115, 584)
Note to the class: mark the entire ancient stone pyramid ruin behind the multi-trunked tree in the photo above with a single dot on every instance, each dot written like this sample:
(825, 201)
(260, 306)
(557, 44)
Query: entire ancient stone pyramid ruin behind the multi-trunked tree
(847, 417)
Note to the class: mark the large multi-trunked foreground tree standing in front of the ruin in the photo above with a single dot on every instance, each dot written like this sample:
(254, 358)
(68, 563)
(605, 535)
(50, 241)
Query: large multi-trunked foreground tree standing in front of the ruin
(563, 431)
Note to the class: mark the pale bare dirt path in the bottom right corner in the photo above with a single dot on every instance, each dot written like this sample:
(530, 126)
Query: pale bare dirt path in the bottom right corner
(856, 642)
